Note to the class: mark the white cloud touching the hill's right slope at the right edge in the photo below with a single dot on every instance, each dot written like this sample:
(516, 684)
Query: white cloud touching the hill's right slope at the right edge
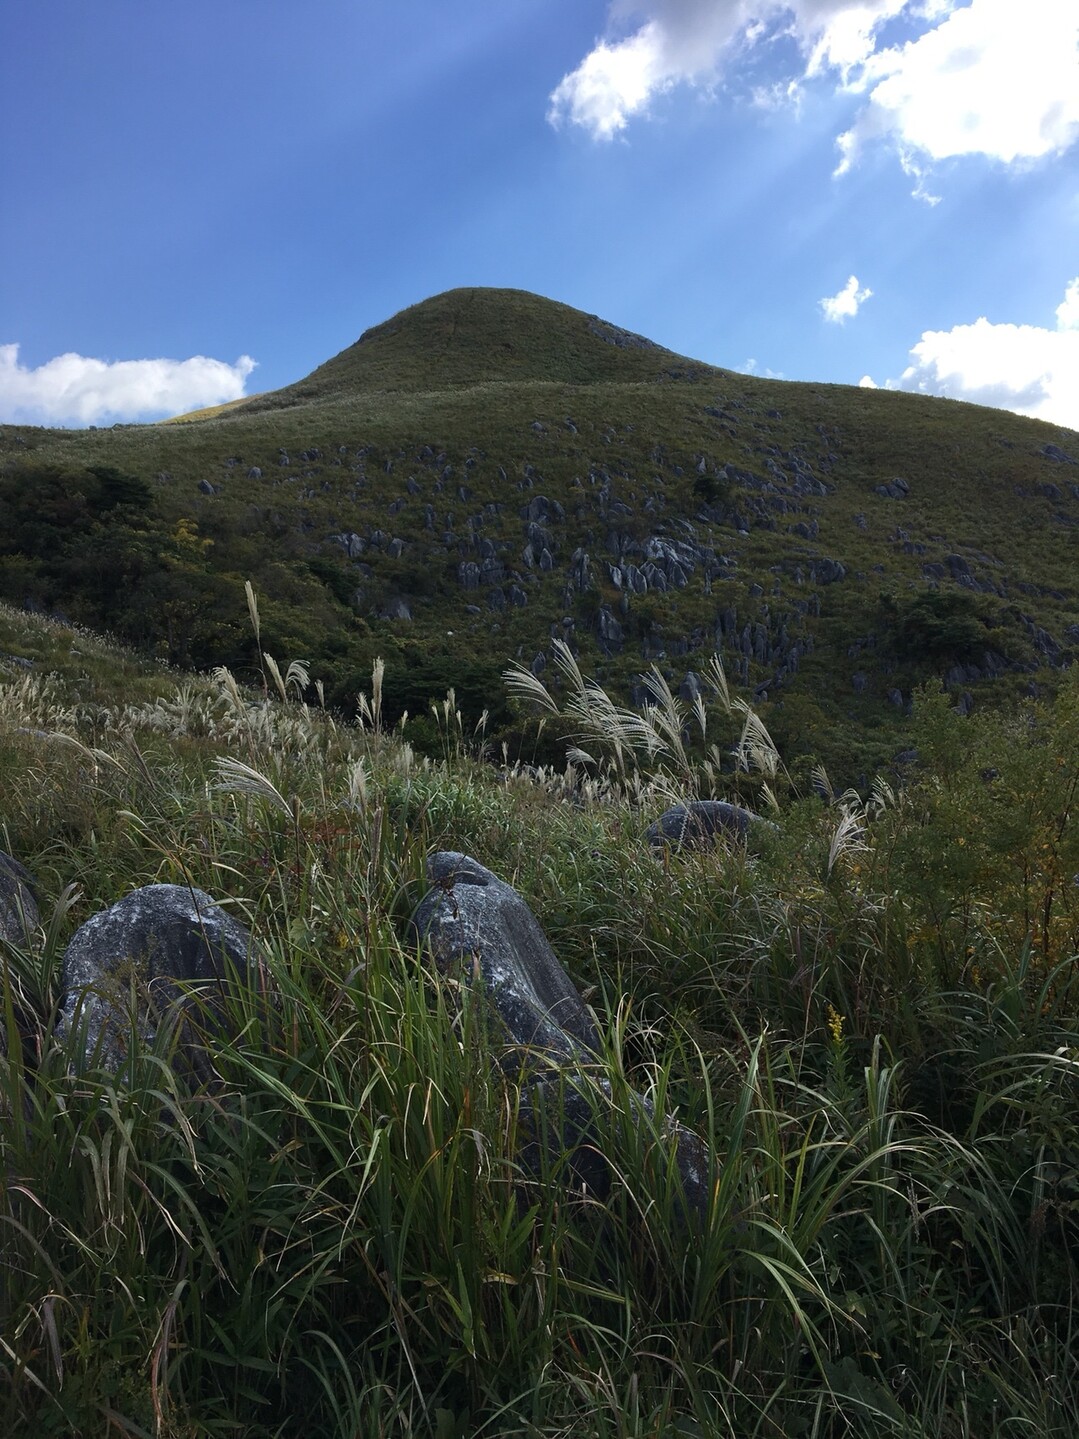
(1016, 368)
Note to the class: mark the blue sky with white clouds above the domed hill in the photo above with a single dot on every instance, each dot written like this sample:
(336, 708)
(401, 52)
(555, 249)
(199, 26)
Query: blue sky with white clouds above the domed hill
(209, 199)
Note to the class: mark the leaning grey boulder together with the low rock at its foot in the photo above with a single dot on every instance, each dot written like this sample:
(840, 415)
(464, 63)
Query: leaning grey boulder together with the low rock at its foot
(480, 927)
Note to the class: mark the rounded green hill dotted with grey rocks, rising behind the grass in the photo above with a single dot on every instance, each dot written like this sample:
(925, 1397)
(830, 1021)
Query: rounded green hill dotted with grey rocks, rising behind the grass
(490, 471)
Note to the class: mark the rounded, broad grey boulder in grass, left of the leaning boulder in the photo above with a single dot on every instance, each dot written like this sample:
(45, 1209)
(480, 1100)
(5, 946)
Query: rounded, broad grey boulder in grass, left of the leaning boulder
(156, 948)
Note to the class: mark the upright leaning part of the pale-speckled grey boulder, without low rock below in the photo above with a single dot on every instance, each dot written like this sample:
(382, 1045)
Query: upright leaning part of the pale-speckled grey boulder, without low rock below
(475, 923)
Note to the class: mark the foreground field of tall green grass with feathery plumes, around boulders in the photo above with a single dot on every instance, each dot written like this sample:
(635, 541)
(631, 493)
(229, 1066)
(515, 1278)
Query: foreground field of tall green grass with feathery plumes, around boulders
(873, 1017)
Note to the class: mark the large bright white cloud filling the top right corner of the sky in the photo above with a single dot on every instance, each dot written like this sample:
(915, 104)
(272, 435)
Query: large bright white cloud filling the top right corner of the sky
(989, 78)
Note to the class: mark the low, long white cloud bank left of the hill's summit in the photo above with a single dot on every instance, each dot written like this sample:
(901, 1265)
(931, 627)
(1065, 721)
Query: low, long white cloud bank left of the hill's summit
(77, 391)
